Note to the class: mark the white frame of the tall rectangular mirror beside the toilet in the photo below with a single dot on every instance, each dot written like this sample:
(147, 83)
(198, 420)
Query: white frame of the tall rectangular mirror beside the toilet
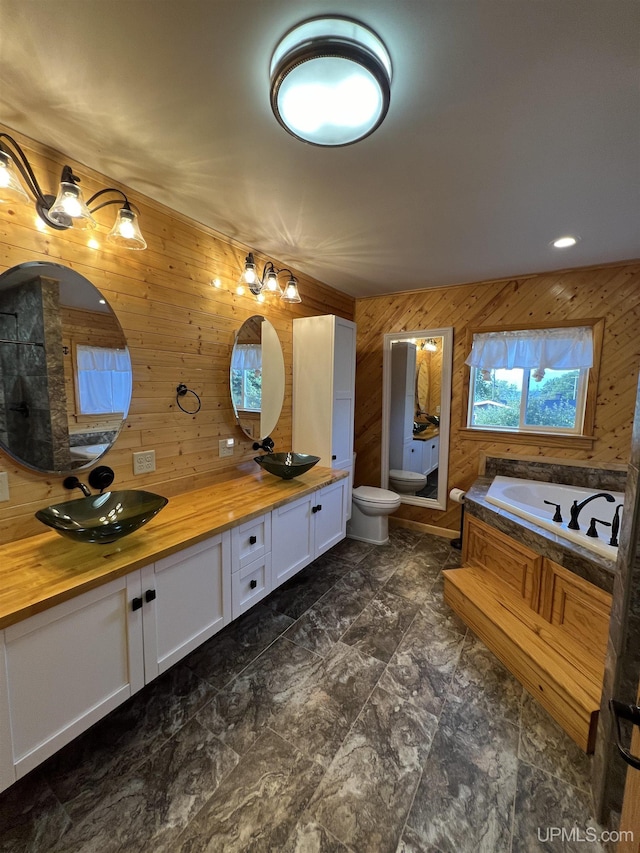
(445, 413)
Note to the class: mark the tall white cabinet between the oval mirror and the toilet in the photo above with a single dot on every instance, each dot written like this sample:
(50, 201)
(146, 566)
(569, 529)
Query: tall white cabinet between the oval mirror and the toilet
(324, 379)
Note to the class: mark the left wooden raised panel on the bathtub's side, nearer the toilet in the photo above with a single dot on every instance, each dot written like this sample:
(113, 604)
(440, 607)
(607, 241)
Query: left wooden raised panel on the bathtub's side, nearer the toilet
(512, 564)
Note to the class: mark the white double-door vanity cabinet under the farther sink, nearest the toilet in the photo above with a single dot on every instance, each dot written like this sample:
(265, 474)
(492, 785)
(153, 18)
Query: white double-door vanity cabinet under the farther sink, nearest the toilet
(307, 527)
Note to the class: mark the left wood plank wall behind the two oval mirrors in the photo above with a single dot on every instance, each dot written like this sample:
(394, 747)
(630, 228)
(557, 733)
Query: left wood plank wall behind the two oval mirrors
(178, 327)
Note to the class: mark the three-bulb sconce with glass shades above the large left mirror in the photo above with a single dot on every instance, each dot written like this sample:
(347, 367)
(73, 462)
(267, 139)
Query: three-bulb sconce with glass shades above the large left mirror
(68, 208)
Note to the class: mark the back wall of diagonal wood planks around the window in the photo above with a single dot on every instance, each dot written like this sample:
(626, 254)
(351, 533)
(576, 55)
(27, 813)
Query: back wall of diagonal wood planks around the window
(611, 292)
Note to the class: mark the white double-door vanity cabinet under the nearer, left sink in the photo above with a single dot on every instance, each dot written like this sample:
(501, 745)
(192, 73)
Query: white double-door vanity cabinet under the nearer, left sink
(69, 666)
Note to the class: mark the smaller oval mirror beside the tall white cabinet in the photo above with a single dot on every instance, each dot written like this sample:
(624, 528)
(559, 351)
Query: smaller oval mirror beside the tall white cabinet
(257, 377)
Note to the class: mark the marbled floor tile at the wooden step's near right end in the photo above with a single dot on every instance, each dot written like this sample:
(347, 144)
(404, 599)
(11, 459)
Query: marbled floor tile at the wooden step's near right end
(548, 747)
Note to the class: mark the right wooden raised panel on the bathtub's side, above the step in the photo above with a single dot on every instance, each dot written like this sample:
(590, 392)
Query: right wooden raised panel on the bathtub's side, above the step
(578, 607)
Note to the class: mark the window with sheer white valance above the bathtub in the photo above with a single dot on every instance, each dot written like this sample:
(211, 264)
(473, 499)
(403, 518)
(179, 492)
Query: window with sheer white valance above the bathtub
(530, 380)
